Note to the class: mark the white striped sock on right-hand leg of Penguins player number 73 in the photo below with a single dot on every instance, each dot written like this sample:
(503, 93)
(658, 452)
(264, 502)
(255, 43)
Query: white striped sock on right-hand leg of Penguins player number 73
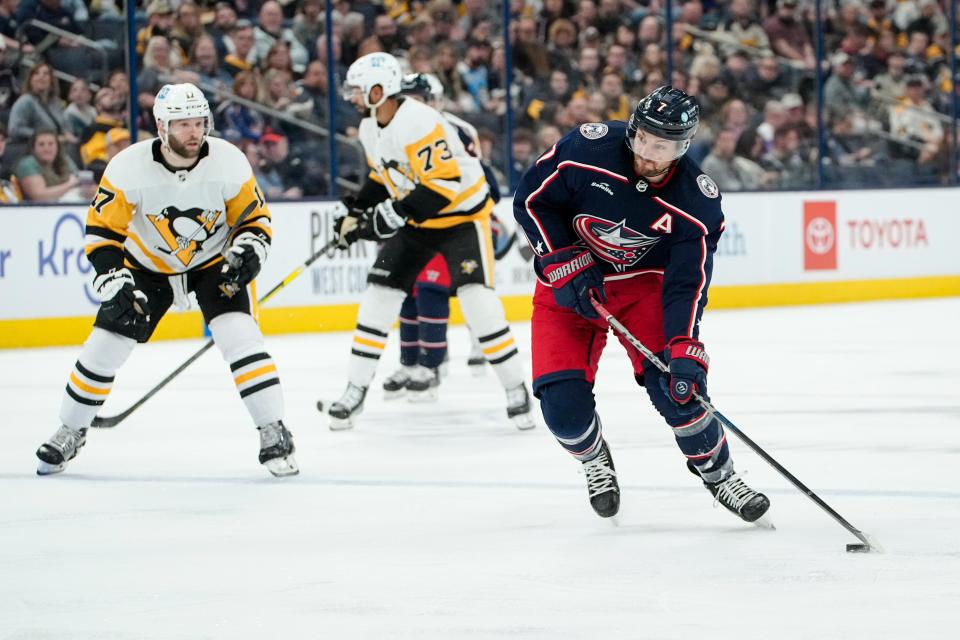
(484, 313)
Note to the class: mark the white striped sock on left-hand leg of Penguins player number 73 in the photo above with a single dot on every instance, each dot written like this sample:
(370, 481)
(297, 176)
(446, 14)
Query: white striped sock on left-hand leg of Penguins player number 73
(379, 307)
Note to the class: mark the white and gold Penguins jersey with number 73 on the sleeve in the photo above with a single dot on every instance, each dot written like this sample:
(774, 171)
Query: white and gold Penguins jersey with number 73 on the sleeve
(419, 146)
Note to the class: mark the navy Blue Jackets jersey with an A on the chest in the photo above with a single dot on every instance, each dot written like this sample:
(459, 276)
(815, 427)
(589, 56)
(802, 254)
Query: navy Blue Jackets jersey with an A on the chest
(584, 191)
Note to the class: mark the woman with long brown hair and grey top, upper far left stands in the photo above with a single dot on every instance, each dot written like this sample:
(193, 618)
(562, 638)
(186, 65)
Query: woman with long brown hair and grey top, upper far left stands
(38, 107)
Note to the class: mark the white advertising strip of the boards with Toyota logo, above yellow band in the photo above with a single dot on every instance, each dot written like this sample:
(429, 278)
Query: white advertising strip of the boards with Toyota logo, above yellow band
(769, 238)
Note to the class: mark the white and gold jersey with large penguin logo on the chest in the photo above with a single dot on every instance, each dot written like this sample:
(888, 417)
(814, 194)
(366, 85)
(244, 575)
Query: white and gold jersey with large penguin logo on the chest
(170, 220)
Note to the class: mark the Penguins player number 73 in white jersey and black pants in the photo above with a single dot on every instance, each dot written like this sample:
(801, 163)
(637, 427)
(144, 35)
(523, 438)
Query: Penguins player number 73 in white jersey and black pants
(425, 196)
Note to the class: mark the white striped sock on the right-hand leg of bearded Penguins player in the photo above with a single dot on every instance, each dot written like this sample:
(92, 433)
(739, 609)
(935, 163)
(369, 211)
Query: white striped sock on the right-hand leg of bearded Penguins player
(240, 341)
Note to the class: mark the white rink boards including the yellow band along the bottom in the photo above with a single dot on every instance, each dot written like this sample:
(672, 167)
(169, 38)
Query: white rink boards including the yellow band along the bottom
(777, 249)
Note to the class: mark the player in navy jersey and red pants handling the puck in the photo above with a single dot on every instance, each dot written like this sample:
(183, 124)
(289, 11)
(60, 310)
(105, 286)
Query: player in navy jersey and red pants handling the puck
(615, 210)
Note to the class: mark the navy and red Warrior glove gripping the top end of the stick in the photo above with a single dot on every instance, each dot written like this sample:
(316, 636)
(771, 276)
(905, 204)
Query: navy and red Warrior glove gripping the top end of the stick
(574, 277)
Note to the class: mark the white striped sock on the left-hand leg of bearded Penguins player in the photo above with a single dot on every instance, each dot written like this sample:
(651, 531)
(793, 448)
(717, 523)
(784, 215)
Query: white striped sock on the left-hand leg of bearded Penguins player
(90, 382)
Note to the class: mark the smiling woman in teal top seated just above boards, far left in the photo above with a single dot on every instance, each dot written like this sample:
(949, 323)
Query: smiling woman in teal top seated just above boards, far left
(45, 174)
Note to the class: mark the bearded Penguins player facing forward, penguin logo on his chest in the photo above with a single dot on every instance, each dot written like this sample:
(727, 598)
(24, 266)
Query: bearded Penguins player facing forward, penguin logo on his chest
(177, 214)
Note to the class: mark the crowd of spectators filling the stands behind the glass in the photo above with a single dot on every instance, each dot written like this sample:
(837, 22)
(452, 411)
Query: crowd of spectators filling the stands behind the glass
(263, 65)
